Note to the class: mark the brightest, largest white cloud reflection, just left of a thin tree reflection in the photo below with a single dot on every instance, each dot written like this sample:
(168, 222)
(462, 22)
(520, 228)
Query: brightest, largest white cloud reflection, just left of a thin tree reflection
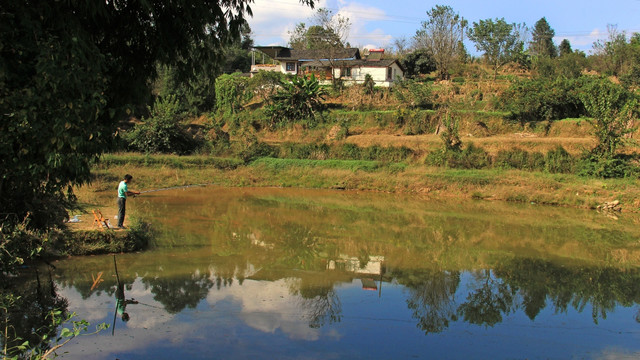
(268, 306)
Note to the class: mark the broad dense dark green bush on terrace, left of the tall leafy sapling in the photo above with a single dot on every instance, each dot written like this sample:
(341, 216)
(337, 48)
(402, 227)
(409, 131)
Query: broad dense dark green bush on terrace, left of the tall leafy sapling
(543, 99)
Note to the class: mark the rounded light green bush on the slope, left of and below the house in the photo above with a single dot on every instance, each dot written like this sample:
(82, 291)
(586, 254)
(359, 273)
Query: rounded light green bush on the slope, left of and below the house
(231, 93)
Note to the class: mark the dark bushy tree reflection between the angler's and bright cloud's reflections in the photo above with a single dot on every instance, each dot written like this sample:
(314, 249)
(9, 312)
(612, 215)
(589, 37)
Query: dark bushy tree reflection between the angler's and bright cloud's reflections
(179, 292)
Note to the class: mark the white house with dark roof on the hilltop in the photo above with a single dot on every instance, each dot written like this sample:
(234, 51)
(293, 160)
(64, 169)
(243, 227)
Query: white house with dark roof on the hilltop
(345, 64)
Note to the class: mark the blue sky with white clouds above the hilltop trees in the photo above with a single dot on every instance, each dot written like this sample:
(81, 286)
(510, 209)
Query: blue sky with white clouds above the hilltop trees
(376, 23)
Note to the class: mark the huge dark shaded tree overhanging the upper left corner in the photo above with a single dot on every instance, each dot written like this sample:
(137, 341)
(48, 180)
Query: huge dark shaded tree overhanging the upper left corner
(69, 70)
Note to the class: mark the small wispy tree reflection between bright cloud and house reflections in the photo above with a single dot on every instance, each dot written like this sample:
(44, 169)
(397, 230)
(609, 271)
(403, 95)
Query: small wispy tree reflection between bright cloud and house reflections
(321, 302)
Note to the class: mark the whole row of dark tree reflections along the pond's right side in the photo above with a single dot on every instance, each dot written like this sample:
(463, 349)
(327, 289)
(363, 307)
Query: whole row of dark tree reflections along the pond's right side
(527, 284)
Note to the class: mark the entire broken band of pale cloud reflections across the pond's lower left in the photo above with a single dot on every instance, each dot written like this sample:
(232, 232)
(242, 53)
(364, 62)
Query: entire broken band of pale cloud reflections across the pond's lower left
(265, 306)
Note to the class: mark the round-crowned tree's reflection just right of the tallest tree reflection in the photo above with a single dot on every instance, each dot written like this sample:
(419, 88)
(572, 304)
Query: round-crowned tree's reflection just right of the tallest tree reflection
(488, 302)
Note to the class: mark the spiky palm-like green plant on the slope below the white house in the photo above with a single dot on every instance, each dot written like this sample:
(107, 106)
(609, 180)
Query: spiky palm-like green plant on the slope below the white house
(299, 100)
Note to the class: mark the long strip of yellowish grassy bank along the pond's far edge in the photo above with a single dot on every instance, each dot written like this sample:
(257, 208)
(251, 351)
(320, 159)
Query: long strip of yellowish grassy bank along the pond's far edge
(401, 177)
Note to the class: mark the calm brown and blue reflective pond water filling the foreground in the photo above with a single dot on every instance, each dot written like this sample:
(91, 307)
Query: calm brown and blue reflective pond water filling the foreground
(302, 274)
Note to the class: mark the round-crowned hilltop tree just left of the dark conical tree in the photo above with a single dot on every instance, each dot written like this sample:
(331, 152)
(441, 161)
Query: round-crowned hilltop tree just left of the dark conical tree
(498, 40)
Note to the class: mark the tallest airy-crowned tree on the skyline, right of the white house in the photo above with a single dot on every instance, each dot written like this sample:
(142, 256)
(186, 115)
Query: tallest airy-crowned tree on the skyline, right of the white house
(442, 34)
